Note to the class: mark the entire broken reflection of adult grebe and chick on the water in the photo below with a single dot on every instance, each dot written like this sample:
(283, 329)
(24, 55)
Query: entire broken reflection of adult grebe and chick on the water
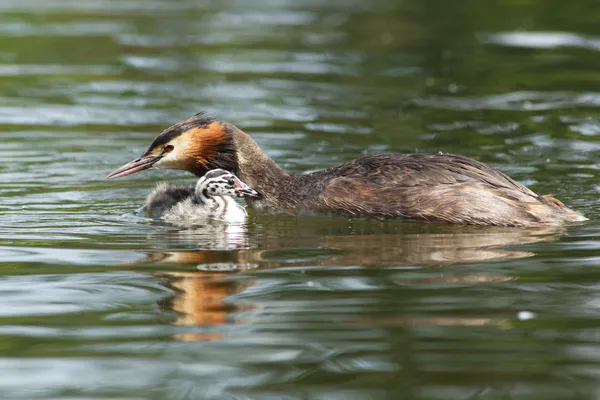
(201, 295)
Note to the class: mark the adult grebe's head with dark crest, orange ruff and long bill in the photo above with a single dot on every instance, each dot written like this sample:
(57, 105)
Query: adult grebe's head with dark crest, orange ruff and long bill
(197, 144)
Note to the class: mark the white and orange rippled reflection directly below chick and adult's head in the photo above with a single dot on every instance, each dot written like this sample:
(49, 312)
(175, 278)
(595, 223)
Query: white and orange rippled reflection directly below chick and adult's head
(200, 295)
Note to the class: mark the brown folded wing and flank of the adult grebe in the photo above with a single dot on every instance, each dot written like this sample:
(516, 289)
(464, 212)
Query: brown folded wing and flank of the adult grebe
(428, 187)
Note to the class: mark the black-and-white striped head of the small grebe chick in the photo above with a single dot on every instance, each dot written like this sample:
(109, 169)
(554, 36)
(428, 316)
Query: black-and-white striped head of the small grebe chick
(218, 182)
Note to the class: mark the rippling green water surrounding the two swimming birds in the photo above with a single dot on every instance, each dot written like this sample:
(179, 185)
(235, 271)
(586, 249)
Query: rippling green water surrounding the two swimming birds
(97, 302)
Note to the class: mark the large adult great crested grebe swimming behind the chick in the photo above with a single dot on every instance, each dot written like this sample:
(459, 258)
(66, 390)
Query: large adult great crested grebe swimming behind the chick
(430, 187)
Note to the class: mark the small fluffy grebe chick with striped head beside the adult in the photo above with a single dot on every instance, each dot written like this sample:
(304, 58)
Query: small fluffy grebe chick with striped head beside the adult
(211, 199)
